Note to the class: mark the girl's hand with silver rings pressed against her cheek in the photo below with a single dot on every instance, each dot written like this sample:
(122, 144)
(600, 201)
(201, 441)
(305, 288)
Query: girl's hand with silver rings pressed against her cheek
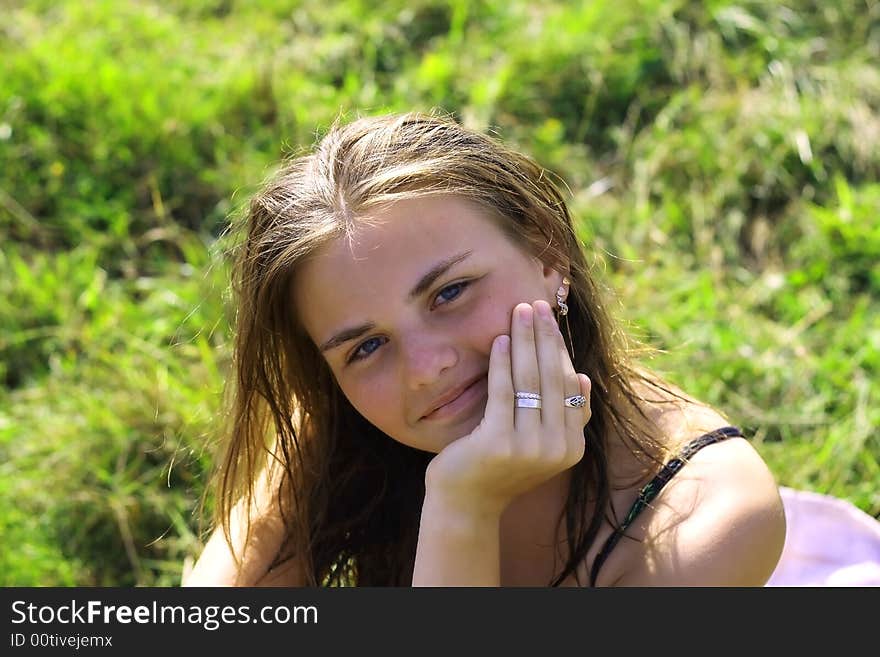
(513, 450)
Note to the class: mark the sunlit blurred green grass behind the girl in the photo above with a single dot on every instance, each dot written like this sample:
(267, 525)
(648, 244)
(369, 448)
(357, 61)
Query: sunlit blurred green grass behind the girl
(723, 160)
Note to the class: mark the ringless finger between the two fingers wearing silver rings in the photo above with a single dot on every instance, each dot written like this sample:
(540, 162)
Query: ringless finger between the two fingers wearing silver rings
(549, 369)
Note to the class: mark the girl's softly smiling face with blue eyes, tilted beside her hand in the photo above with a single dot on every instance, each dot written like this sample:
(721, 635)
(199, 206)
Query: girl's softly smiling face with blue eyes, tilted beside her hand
(406, 312)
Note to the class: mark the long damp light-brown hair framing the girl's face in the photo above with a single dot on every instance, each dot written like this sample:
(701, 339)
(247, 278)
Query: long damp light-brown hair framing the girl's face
(352, 496)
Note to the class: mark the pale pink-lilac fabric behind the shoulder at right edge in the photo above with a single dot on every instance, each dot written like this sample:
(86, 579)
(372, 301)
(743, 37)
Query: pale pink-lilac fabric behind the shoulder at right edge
(828, 542)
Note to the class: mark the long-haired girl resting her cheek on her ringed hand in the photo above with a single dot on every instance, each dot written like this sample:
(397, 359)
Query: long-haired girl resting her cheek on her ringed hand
(428, 391)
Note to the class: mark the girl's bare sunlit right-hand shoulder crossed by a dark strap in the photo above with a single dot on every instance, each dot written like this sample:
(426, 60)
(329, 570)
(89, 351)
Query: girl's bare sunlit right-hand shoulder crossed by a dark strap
(717, 522)
